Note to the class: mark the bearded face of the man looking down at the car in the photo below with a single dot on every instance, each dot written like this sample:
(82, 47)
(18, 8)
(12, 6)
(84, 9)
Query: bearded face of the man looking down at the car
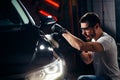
(88, 32)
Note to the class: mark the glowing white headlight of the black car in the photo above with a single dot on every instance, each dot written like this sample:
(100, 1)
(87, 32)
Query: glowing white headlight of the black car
(52, 71)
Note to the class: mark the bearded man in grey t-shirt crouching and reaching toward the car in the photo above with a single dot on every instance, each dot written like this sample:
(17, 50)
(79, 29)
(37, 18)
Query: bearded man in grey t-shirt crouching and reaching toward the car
(101, 48)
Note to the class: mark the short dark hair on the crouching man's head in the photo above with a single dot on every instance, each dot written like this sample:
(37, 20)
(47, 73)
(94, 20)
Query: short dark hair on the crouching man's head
(91, 18)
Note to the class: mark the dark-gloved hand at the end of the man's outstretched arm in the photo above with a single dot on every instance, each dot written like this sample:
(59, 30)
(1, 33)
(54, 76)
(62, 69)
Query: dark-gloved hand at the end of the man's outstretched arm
(58, 28)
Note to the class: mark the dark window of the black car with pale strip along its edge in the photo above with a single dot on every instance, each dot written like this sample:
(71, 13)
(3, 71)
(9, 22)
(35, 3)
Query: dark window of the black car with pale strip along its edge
(9, 14)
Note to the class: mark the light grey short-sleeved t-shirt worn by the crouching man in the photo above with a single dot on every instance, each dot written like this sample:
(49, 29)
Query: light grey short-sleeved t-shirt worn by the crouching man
(105, 62)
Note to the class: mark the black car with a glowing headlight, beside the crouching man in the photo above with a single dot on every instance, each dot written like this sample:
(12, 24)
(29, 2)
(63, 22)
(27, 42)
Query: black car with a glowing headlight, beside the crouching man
(25, 52)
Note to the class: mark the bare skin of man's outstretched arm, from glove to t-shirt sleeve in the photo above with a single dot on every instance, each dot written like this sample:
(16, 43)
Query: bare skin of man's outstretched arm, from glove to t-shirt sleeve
(81, 45)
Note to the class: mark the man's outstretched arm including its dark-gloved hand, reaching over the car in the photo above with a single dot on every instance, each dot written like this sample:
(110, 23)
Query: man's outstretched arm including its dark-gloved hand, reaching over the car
(76, 42)
